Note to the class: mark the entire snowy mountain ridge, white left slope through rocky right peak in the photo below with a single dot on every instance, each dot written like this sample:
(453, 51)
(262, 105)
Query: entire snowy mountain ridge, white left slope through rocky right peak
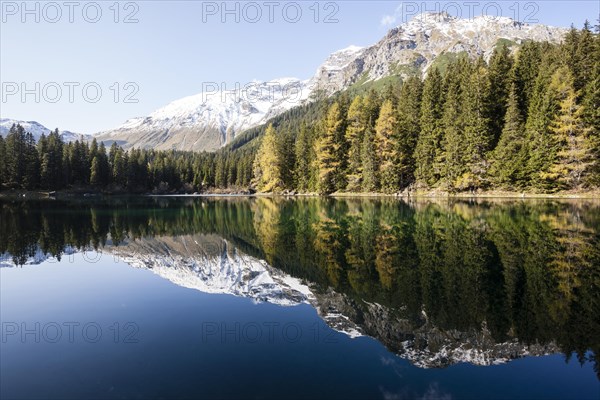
(210, 120)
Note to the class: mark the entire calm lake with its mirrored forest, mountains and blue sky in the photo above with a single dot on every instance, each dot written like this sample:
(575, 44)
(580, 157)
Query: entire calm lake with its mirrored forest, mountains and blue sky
(157, 297)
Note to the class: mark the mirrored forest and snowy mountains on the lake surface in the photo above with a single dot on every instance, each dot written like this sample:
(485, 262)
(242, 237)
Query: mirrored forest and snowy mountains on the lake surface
(436, 282)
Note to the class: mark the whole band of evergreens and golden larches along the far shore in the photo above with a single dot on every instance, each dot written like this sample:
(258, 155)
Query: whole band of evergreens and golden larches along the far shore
(528, 121)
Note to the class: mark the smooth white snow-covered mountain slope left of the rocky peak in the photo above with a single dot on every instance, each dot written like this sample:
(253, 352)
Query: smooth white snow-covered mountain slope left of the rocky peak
(209, 120)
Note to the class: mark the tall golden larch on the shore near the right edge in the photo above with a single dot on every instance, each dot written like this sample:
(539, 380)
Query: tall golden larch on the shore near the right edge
(574, 148)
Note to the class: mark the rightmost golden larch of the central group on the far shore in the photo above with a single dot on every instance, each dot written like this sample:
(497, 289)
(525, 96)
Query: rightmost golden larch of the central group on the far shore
(385, 138)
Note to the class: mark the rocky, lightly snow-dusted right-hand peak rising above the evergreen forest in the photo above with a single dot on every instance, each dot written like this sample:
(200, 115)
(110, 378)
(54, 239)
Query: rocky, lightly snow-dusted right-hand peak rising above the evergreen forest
(415, 46)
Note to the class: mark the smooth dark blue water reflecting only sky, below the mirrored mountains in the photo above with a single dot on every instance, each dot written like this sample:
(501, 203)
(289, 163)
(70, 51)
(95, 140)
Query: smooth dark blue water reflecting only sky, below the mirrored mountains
(96, 327)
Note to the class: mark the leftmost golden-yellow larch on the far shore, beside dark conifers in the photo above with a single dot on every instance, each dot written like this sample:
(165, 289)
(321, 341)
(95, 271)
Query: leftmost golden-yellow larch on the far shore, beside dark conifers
(268, 163)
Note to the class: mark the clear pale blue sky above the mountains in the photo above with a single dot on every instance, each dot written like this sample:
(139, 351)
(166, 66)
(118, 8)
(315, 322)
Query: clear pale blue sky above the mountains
(176, 46)
